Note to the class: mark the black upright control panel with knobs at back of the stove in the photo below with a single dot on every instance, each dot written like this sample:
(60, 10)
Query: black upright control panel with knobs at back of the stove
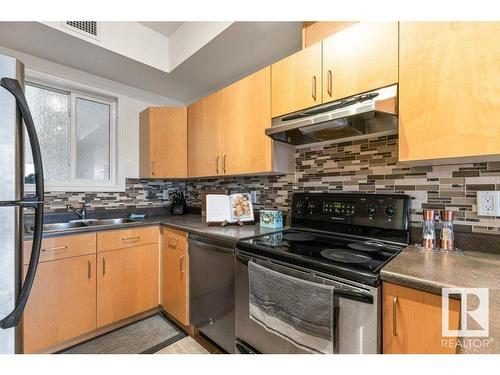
(374, 210)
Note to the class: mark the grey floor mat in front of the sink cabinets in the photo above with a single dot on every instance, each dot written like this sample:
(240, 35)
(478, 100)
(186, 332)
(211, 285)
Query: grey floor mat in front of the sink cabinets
(145, 336)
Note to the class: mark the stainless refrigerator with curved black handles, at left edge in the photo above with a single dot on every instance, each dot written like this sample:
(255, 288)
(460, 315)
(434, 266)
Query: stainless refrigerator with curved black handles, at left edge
(15, 122)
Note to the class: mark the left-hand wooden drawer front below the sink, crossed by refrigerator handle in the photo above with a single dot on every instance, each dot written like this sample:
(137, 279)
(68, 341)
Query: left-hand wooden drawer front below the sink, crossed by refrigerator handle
(62, 247)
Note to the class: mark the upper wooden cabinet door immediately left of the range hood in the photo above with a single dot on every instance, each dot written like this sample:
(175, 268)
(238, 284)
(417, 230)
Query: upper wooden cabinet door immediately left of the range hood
(246, 147)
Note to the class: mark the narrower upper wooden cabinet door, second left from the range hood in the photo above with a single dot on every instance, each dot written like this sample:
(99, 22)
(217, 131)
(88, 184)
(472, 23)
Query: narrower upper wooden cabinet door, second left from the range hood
(205, 136)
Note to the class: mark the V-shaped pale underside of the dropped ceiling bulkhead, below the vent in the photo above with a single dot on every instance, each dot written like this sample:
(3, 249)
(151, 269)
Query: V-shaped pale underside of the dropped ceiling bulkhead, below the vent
(241, 49)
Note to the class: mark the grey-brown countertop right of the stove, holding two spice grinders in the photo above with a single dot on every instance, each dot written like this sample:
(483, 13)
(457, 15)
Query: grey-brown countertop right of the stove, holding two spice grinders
(431, 272)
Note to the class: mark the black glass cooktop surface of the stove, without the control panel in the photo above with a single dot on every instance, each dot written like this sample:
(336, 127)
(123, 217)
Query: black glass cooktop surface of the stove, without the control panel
(345, 256)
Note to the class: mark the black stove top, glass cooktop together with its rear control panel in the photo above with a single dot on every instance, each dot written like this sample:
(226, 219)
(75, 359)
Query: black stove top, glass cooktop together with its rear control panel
(351, 236)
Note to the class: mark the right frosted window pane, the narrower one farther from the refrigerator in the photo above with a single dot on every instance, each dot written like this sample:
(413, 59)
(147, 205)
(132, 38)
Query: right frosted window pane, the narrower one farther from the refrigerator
(92, 140)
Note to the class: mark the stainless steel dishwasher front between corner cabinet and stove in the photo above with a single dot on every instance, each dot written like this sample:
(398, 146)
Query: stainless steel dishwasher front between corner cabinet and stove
(211, 289)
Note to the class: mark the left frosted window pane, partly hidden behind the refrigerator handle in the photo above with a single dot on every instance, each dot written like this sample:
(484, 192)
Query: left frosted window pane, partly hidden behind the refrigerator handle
(50, 111)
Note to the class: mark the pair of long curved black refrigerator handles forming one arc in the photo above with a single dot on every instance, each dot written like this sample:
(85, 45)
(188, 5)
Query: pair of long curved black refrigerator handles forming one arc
(13, 86)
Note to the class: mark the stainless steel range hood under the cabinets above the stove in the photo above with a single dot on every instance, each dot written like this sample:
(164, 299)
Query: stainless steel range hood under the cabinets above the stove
(365, 115)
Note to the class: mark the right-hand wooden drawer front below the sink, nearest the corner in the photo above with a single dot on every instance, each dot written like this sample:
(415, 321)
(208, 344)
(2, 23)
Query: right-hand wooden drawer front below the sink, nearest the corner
(119, 239)
